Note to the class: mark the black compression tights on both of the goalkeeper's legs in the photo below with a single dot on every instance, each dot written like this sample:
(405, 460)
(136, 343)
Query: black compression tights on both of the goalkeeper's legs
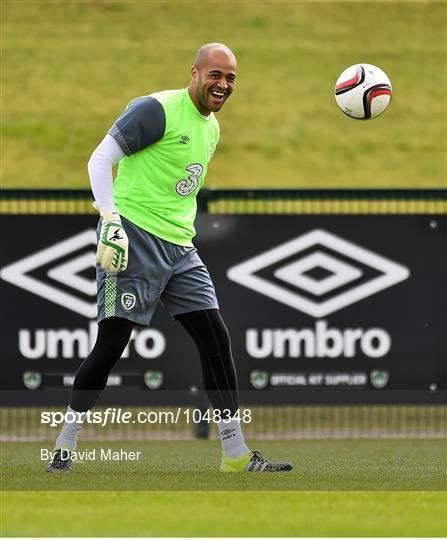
(206, 328)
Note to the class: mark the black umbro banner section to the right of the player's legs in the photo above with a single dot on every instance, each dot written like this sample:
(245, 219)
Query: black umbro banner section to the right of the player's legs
(333, 301)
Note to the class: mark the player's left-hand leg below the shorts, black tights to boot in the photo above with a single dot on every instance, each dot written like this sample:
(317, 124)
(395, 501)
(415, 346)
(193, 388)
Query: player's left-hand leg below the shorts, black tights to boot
(90, 381)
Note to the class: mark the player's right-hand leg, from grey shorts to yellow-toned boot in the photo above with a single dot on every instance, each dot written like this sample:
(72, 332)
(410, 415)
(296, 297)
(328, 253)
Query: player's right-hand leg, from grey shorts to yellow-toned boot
(189, 296)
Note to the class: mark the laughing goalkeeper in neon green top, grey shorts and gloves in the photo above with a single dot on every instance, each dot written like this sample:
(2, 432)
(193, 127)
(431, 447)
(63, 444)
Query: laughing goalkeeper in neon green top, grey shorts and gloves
(163, 143)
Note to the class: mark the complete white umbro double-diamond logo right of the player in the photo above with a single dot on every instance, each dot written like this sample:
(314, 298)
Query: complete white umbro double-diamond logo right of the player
(318, 273)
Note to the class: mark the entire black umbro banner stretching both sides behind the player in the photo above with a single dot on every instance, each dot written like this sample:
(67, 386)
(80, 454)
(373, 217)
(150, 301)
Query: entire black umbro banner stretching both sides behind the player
(320, 308)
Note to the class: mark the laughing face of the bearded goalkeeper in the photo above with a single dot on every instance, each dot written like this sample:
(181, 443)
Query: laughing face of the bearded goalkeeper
(214, 81)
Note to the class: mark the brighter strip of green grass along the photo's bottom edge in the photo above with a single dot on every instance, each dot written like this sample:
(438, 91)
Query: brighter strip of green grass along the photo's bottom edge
(220, 514)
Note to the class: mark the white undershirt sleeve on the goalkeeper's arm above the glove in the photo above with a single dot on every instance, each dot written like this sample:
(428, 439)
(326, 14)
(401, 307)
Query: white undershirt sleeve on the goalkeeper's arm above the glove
(100, 165)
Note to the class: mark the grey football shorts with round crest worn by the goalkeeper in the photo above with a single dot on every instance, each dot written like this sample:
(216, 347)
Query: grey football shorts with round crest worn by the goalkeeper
(158, 271)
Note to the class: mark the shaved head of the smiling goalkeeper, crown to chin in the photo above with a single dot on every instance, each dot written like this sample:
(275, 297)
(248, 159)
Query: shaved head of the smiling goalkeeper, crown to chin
(213, 77)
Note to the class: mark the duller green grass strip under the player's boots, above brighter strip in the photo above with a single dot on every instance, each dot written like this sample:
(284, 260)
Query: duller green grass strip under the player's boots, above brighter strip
(402, 464)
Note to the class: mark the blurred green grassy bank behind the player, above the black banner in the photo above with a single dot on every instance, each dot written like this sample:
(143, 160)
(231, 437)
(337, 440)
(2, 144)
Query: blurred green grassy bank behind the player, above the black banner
(69, 68)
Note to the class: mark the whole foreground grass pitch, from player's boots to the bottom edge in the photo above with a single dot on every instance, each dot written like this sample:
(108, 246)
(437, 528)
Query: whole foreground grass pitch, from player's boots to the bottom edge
(338, 488)
